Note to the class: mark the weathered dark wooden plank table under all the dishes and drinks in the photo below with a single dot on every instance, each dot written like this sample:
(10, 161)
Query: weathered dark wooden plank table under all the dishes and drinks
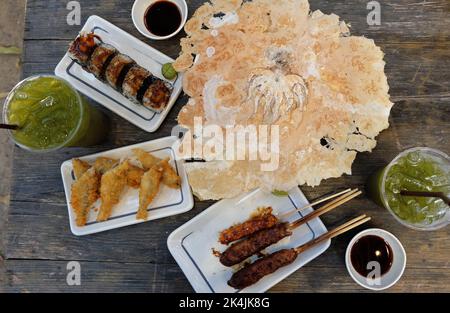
(415, 35)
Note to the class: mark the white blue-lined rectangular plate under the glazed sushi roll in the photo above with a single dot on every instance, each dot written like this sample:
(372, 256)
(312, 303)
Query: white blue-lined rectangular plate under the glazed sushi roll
(146, 56)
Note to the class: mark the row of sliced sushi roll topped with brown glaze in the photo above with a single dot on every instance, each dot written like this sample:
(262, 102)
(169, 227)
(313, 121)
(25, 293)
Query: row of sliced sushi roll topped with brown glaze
(121, 72)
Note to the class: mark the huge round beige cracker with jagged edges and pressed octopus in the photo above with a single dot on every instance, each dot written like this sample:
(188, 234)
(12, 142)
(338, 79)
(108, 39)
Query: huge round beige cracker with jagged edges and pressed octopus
(246, 50)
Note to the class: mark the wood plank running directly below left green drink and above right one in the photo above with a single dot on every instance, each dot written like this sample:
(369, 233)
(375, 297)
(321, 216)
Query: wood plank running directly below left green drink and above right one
(415, 122)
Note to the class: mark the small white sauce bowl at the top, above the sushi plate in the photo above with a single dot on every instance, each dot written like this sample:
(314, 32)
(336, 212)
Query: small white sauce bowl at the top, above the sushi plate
(138, 15)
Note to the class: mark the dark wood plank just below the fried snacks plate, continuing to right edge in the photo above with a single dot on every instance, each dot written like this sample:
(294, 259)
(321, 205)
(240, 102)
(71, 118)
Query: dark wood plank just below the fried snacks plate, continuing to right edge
(42, 232)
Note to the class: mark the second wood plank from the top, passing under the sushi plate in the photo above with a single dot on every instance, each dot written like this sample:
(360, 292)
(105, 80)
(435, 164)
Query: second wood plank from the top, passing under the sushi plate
(413, 69)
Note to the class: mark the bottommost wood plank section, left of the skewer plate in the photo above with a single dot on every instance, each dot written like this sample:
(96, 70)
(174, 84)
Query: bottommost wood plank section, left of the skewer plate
(31, 276)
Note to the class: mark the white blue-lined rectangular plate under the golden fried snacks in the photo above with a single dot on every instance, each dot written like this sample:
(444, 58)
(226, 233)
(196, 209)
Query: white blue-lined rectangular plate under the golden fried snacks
(168, 202)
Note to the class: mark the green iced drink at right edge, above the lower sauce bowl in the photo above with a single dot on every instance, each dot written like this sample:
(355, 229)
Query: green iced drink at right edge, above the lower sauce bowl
(417, 169)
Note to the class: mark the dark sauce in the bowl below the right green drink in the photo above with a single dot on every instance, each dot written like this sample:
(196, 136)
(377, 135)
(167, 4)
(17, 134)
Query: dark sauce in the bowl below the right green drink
(368, 249)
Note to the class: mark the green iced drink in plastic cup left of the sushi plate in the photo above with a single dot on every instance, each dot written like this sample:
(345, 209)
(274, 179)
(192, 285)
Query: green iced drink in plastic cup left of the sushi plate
(52, 115)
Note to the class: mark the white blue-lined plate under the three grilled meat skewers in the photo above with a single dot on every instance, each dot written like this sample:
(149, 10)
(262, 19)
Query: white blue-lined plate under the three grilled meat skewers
(192, 244)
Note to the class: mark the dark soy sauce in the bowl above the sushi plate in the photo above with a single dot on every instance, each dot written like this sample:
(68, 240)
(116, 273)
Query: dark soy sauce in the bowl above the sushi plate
(162, 18)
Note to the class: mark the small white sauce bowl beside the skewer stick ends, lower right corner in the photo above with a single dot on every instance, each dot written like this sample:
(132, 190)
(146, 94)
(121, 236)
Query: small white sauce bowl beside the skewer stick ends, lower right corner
(398, 266)
